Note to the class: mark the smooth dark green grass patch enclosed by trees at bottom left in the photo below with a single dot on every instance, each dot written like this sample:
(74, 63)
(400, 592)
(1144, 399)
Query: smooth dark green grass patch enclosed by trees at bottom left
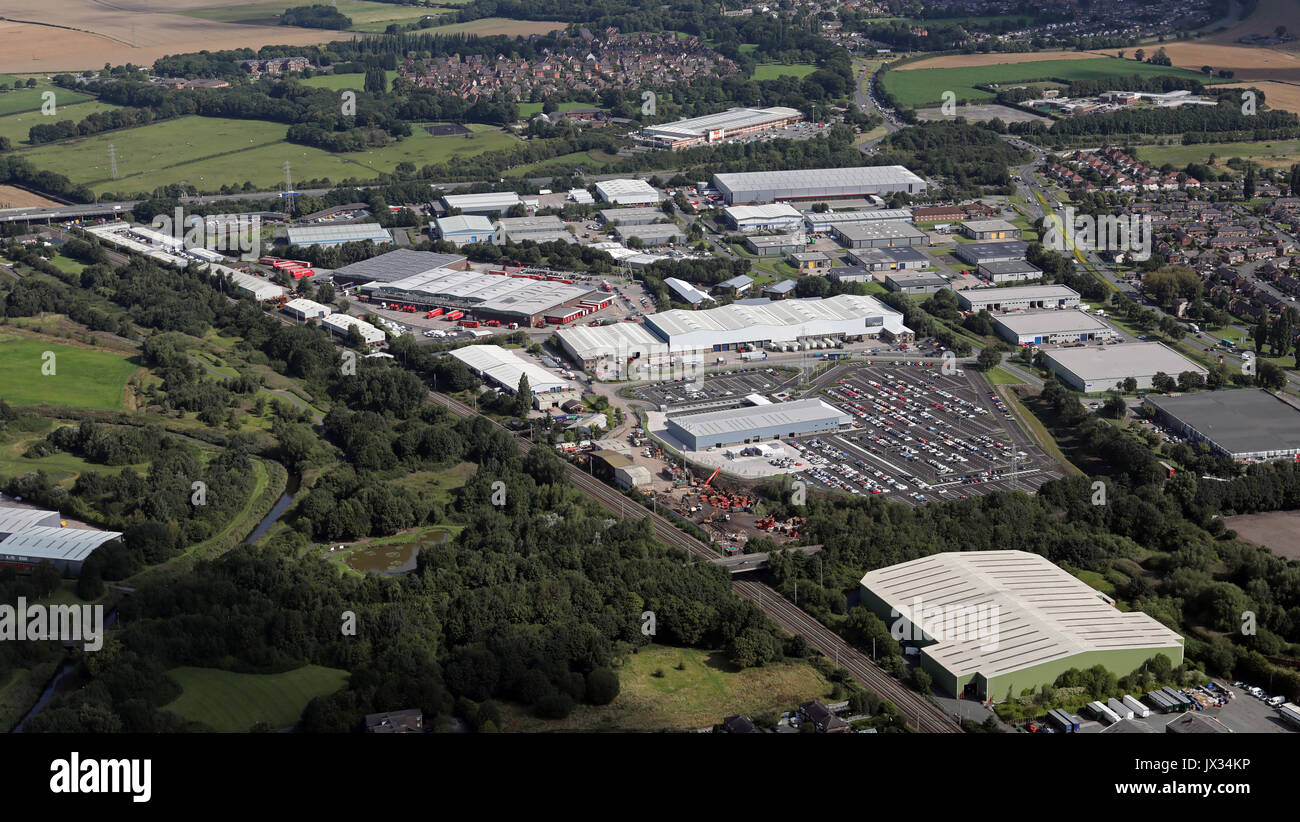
(233, 703)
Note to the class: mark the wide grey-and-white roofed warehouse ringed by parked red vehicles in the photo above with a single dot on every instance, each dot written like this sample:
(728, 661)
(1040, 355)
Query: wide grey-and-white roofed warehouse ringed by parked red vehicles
(489, 297)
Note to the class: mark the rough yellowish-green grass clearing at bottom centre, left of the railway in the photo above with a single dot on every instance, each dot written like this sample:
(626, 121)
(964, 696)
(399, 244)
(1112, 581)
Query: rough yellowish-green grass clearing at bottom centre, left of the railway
(695, 698)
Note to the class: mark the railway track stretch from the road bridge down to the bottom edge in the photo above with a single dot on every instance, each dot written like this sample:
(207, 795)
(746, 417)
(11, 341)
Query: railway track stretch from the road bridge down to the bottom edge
(920, 712)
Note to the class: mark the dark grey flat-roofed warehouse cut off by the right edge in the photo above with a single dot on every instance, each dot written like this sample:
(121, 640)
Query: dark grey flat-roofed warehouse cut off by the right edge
(1246, 426)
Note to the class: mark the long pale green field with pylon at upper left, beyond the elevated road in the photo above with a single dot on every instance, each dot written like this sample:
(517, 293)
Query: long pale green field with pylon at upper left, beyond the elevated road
(211, 152)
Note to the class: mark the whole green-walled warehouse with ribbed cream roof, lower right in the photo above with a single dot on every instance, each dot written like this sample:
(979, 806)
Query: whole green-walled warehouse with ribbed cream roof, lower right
(994, 624)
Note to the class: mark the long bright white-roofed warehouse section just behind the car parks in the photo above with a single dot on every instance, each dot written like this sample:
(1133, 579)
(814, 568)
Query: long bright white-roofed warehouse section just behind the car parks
(848, 317)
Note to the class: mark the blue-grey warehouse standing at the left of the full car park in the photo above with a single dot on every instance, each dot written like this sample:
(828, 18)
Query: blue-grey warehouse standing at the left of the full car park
(757, 423)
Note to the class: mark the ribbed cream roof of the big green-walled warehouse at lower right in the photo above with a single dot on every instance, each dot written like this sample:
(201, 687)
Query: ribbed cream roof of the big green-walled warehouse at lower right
(1041, 613)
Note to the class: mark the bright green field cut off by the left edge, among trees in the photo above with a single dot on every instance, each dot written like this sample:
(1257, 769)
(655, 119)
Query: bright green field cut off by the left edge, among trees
(83, 378)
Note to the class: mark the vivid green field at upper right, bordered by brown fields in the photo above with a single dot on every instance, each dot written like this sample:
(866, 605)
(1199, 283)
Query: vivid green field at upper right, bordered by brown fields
(926, 86)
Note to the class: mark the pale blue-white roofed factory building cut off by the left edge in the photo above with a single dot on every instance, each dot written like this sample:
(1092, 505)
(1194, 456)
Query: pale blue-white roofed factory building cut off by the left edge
(32, 537)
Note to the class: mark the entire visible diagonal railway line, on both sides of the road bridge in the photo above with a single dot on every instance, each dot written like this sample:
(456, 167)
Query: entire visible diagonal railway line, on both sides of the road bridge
(917, 709)
